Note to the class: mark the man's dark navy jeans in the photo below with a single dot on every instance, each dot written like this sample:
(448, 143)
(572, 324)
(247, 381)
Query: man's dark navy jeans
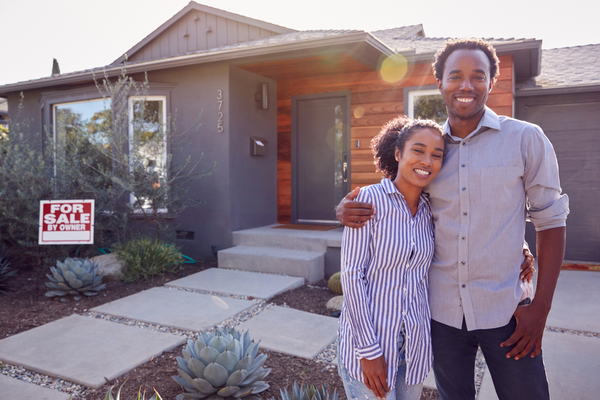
(454, 352)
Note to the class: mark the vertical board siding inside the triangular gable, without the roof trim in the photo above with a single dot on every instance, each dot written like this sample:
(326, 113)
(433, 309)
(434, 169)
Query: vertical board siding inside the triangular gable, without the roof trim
(198, 31)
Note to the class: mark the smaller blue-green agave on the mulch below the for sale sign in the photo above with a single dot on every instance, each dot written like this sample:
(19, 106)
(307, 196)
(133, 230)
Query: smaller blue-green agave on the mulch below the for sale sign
(74, 276)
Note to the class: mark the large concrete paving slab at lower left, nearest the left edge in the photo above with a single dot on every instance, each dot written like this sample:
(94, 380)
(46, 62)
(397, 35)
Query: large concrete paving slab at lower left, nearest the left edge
(85, 350)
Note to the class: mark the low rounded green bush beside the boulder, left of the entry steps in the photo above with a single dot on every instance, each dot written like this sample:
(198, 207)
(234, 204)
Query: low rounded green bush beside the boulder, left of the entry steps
(147, 257)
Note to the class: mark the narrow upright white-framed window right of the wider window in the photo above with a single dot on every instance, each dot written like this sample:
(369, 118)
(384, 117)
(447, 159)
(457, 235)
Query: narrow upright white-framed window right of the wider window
(148, 150)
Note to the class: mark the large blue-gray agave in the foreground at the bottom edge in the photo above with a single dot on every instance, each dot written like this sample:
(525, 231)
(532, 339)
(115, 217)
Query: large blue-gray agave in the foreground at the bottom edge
(222, 365)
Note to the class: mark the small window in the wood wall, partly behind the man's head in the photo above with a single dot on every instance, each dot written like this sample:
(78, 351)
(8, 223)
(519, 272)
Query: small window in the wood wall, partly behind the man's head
(425, 102)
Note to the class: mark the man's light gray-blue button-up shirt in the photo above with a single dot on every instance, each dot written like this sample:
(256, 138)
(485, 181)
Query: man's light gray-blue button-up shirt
(502, 173)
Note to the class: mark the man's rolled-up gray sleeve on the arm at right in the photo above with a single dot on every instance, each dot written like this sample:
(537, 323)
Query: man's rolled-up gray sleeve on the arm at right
(547, 207)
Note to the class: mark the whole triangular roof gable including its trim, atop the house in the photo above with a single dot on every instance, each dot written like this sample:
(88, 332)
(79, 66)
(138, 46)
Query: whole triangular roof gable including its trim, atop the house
(196, 28)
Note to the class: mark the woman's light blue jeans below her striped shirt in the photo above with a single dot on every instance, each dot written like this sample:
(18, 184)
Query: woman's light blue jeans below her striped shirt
(356, 390)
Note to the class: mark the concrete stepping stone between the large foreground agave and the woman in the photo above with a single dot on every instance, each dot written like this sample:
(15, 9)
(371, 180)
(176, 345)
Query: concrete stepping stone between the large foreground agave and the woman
(292, 332)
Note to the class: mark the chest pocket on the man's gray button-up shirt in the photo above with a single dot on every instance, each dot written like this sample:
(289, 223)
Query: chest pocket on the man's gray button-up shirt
(498, 185)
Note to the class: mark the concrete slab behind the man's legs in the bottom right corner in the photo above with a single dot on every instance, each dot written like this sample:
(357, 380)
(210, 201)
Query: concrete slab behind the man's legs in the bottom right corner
(572, 365)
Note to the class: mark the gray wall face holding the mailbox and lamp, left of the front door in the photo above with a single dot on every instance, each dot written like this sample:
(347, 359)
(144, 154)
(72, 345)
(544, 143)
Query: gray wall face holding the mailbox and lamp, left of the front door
(253, 179)
